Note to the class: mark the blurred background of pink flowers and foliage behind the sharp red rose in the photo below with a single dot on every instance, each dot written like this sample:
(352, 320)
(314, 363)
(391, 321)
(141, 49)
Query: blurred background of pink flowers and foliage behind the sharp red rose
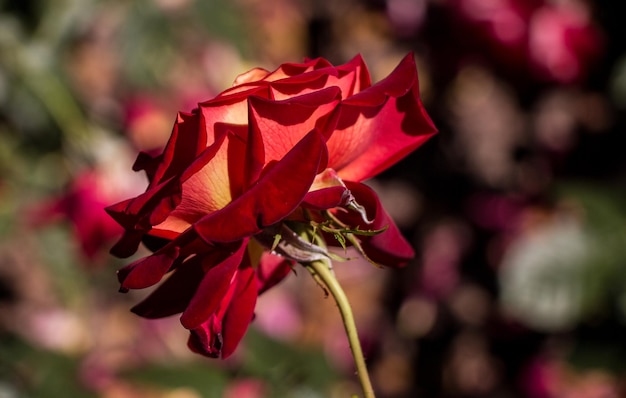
(516, 208)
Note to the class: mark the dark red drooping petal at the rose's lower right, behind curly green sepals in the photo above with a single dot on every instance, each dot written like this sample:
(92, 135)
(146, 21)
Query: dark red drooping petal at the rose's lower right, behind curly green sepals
(387, 248)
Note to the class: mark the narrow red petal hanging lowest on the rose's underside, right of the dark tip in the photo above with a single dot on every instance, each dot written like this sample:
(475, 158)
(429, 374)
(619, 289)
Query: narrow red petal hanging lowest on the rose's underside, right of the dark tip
(240, 311)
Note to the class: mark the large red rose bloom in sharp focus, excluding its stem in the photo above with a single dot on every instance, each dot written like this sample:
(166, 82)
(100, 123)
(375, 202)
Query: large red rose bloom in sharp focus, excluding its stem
(244, 173)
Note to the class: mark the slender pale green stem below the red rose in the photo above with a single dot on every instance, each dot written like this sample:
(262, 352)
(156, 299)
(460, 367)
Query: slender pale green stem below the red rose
(321, 271)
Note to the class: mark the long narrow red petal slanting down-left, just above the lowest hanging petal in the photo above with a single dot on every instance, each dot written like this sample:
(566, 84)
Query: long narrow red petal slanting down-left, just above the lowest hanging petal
(212, 289)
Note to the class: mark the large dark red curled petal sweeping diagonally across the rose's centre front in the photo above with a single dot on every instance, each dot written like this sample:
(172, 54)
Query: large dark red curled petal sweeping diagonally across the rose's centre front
(278, 193)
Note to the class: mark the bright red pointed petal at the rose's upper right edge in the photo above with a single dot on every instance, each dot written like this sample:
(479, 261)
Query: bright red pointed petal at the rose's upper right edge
(380, 125)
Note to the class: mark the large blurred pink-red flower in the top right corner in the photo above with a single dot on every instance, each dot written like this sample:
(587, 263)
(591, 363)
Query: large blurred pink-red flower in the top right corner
(550, 41)
